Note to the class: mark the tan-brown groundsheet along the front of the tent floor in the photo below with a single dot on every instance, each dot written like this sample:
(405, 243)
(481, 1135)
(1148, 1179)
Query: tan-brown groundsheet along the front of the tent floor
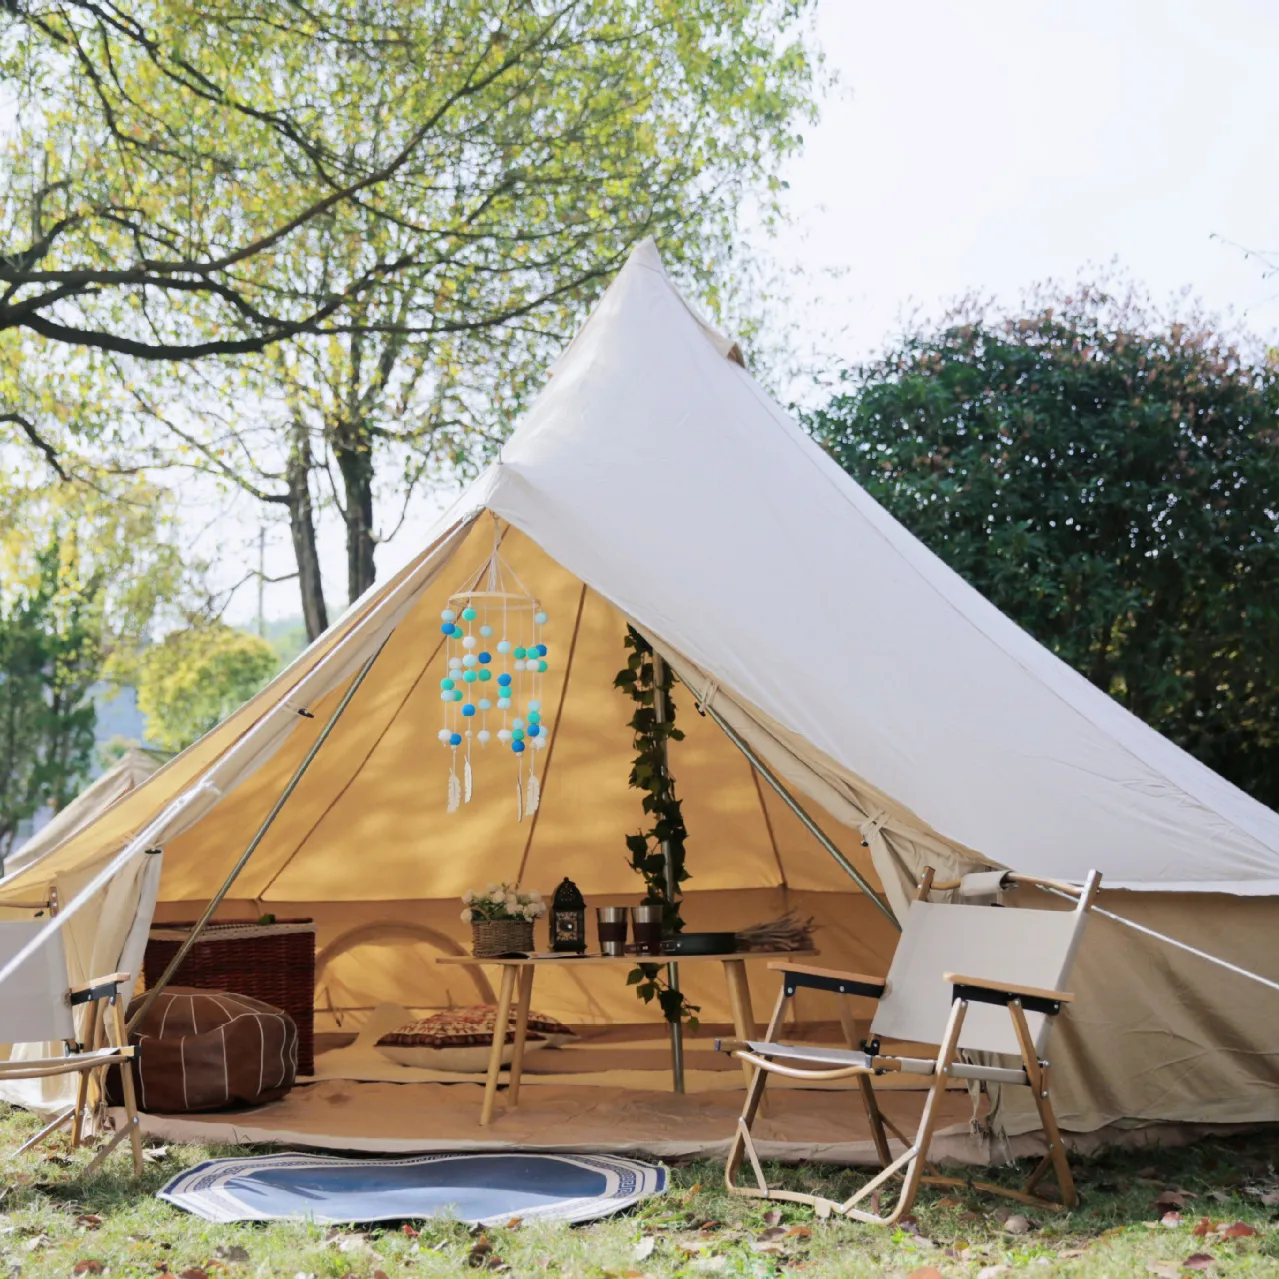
(435, 1118)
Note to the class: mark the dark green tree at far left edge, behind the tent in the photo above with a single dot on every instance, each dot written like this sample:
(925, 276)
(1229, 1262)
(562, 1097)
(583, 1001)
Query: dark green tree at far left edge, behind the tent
(51, 632)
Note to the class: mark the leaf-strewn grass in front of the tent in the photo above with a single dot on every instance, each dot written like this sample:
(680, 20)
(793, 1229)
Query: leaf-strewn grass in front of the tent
(57, 1222)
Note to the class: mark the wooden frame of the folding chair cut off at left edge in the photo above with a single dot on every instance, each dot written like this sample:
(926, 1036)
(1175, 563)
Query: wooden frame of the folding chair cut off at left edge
(107, 1046)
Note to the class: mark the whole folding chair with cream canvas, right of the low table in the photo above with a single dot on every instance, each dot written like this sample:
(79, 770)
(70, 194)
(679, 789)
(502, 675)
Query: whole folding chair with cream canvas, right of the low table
(970, 979)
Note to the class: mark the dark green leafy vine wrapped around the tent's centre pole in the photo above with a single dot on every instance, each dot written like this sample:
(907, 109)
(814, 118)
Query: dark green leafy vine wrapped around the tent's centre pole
(649, 774)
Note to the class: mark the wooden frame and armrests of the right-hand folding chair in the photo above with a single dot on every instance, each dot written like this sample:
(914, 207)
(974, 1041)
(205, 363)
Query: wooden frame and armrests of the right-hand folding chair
(867, 1061)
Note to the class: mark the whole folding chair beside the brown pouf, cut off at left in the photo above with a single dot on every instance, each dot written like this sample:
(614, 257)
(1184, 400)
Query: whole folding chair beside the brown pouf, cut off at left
(38, 1005)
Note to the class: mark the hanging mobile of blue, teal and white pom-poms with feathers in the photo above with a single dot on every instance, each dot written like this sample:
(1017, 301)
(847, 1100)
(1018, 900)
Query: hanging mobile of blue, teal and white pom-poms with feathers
(496, 659)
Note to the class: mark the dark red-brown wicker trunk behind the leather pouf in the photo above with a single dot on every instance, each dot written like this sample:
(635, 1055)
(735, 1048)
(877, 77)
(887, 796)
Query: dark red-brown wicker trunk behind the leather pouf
(272, 962)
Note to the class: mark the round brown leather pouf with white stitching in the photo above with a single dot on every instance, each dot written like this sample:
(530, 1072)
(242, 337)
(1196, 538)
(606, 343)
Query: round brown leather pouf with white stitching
(212, 1051)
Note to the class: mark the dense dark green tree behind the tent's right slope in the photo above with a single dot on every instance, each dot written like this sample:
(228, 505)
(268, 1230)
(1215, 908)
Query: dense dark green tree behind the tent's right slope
(1111, 482)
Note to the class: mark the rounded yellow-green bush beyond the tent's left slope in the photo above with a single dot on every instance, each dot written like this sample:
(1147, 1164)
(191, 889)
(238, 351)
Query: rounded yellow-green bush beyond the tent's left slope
(196, 677)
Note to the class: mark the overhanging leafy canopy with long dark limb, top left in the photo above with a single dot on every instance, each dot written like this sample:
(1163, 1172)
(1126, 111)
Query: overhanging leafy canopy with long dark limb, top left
(175, 178)
